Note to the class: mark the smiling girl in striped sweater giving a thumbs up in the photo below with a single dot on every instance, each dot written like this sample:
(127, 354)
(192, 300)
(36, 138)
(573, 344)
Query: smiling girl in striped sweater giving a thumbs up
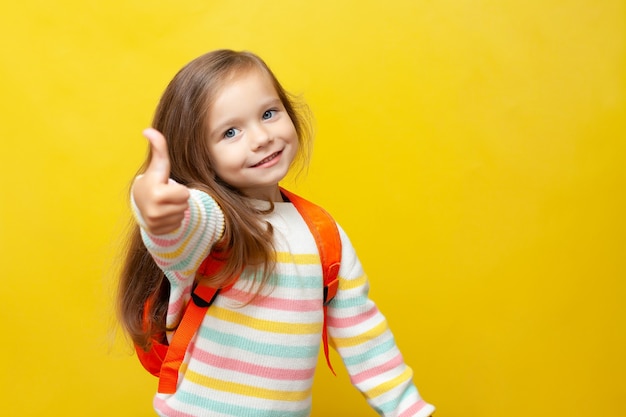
(224, 135)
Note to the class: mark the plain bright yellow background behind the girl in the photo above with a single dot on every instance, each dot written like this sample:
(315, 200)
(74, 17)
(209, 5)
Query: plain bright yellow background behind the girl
(473, 150)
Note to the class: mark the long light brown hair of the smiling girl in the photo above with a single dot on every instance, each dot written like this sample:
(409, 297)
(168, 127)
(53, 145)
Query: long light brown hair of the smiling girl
(181, 117)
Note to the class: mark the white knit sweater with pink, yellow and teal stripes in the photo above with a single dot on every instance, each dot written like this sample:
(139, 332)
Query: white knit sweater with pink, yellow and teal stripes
(258, 358)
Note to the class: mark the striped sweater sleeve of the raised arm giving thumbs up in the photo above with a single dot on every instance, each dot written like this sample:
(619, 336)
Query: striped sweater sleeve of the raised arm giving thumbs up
(180, 253)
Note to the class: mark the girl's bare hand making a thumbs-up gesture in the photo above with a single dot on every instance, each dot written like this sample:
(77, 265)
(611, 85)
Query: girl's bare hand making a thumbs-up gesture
(161, 201)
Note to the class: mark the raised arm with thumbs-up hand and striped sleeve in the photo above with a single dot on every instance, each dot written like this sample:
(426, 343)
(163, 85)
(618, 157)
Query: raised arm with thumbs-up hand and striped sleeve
(178, 225)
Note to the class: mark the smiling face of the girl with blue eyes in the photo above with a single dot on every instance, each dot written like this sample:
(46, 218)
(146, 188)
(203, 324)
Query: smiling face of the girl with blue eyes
(252, 139)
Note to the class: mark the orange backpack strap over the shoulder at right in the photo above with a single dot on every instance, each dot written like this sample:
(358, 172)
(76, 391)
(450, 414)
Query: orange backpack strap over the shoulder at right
(324, 230)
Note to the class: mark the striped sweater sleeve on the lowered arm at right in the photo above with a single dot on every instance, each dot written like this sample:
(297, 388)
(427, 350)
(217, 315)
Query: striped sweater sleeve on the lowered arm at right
(360, 334)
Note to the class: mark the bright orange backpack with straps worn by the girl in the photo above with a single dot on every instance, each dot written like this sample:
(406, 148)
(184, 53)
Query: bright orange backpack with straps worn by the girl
(163, 360)
